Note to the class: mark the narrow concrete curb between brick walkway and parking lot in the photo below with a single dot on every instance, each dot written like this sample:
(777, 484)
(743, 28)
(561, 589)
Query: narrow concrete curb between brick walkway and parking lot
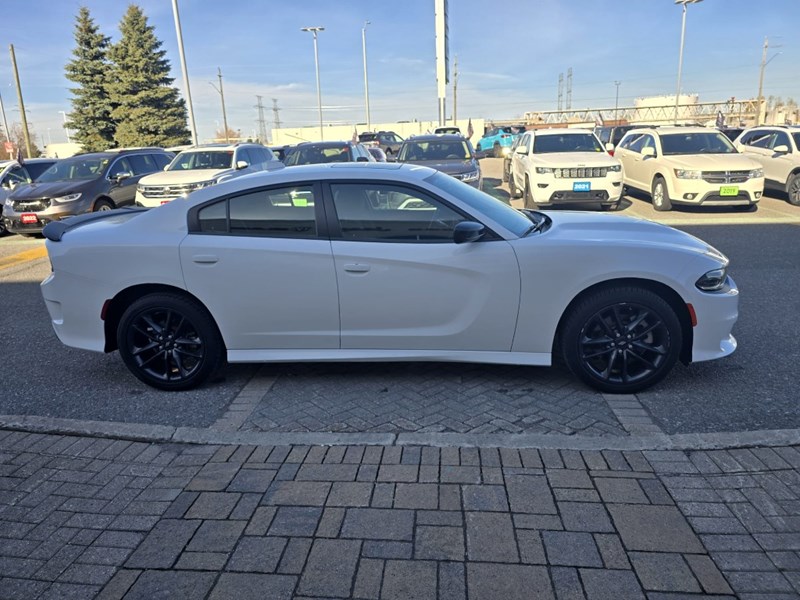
(194, 435)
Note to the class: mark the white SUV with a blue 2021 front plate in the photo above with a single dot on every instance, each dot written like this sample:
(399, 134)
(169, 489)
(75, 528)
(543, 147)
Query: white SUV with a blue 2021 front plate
(564, 166)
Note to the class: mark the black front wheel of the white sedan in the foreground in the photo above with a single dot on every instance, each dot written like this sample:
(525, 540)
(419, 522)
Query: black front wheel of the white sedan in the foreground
(621, 340)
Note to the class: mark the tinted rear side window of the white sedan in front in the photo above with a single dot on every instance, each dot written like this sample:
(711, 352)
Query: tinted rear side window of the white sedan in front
(286, 212)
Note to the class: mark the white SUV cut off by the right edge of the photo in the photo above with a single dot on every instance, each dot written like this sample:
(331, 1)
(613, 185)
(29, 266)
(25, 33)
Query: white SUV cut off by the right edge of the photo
(777, 149)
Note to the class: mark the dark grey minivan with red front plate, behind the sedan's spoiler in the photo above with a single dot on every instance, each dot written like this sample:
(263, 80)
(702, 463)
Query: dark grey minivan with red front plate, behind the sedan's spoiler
(80, 184)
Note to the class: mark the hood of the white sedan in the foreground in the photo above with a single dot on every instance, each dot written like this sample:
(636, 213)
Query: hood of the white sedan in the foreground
(600, 228)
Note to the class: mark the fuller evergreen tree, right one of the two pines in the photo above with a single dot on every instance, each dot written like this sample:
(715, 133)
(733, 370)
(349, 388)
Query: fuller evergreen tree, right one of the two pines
(147, 109)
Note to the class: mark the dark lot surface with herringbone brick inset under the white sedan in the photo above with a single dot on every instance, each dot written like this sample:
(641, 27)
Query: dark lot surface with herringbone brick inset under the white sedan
(755, 388)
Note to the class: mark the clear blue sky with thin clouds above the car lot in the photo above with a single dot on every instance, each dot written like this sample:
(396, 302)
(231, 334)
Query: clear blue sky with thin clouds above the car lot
(510, 53)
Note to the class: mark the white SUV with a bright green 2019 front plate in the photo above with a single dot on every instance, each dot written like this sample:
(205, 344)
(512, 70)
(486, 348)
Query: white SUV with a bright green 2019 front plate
(689, 165)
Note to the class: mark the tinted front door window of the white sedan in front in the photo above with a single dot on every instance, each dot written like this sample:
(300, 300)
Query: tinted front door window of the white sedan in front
(381, 212)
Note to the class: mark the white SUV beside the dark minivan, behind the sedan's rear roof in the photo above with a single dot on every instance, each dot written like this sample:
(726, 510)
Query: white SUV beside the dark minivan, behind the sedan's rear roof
(201, 166)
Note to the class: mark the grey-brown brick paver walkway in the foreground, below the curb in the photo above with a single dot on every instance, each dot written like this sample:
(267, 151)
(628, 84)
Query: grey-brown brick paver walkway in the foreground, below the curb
(84, 518)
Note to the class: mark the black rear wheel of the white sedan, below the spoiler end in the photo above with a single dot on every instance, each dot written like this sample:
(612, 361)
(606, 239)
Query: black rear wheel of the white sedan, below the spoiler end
(170, 342)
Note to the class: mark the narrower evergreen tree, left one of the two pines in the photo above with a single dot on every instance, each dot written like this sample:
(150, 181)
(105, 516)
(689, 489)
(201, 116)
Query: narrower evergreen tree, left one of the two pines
(90, 119)
